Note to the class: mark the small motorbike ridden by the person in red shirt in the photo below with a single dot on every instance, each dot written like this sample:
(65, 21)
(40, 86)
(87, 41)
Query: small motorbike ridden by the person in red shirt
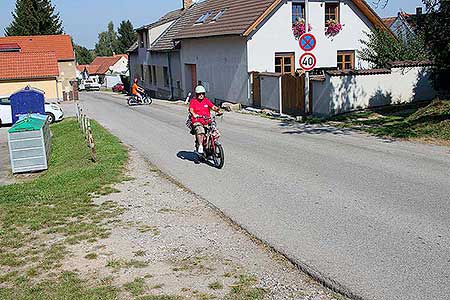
(213, 150)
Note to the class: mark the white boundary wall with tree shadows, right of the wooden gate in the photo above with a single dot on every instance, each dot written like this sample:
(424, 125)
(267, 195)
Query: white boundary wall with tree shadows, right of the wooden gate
(338, 94)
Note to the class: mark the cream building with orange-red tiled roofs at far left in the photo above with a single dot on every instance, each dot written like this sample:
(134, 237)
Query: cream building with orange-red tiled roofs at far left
(46, 62)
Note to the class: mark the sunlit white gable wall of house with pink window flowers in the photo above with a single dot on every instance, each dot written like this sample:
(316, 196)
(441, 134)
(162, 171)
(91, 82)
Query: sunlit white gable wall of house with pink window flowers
(275, 35)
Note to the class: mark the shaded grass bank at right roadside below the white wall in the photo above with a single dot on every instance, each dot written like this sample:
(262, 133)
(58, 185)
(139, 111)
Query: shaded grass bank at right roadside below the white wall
(422, 120)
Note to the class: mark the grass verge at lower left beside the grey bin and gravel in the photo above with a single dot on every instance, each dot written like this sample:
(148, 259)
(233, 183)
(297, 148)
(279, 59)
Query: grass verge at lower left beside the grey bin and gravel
(39, 218)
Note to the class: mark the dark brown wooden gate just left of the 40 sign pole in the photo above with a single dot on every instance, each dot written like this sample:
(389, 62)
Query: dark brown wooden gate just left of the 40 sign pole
(293, 94)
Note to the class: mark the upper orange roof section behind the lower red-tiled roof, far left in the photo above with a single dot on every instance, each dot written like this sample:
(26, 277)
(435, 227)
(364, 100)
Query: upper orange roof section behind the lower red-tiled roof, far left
(60, 44)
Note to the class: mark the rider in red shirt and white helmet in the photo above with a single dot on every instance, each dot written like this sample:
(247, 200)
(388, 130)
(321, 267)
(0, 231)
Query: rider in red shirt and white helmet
(199, 109)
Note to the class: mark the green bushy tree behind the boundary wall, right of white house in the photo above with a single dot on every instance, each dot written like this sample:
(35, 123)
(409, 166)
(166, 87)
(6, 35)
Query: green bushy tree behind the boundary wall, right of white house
(381, 47)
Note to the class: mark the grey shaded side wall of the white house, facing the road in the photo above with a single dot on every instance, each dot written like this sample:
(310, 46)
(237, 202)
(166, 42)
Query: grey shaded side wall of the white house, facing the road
(221, 67)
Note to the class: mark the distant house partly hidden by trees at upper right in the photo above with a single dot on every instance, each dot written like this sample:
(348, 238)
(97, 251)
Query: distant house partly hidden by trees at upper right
(405, 25)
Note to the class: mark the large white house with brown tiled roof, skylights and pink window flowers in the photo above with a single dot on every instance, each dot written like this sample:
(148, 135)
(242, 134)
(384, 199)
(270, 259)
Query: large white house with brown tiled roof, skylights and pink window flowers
(223, 41)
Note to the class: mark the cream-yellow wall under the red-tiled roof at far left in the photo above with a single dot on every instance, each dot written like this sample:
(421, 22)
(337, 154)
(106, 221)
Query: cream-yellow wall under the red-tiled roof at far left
(49, 86)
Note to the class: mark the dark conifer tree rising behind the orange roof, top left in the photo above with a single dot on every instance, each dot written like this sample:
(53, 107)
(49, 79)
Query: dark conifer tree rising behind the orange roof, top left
(34, 17)
